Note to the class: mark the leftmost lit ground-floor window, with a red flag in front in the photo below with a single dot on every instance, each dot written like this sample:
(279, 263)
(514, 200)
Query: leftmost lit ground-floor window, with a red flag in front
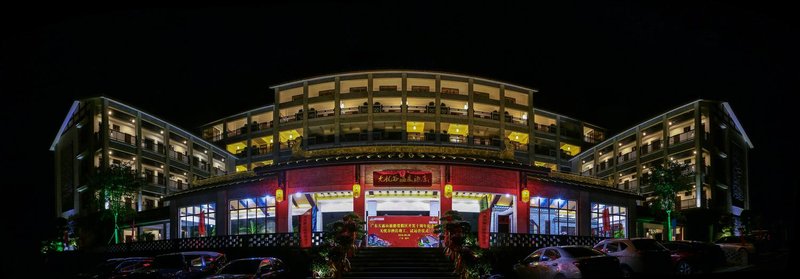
(198, 220)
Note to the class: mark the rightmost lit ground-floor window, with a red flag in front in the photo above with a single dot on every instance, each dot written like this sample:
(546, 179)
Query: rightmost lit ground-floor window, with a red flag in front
(609, 220)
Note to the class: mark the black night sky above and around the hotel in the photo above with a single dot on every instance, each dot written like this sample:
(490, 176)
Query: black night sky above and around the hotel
(610, 63)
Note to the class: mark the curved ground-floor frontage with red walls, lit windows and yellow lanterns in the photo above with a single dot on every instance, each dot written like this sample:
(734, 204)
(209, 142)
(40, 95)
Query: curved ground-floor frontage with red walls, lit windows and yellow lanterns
(402, 201)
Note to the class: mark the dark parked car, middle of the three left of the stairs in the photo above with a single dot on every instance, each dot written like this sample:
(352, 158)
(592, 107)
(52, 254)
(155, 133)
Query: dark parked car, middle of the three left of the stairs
(183, 265)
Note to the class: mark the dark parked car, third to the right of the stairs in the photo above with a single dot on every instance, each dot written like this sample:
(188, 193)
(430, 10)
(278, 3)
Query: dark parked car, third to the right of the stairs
(694, 256)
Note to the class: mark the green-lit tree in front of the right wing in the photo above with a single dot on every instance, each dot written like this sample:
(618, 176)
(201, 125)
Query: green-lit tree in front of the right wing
(667, 180)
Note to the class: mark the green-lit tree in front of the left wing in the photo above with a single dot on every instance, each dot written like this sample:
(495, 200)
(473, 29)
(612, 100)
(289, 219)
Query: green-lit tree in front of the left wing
(111, 187)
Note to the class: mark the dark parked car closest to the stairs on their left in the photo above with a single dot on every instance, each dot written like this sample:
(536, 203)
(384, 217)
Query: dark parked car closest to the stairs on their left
(253, 268)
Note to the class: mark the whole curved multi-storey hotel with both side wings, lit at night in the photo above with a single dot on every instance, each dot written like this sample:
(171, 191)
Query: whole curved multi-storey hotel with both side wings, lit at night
(399, 143)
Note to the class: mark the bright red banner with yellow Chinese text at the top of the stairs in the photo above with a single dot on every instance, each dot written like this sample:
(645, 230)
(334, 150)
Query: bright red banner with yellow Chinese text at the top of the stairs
(402, 231)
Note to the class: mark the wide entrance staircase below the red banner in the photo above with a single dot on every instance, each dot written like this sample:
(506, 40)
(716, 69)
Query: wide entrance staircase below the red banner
(400, 263)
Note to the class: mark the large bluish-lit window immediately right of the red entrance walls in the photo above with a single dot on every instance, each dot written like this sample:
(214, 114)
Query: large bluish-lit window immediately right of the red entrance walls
(553, 216)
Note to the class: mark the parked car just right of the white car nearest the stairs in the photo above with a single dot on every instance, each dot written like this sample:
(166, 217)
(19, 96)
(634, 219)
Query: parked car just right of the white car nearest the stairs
(637, 255)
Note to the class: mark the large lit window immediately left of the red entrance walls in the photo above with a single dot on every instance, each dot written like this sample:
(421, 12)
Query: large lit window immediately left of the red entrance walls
(252, 215)
